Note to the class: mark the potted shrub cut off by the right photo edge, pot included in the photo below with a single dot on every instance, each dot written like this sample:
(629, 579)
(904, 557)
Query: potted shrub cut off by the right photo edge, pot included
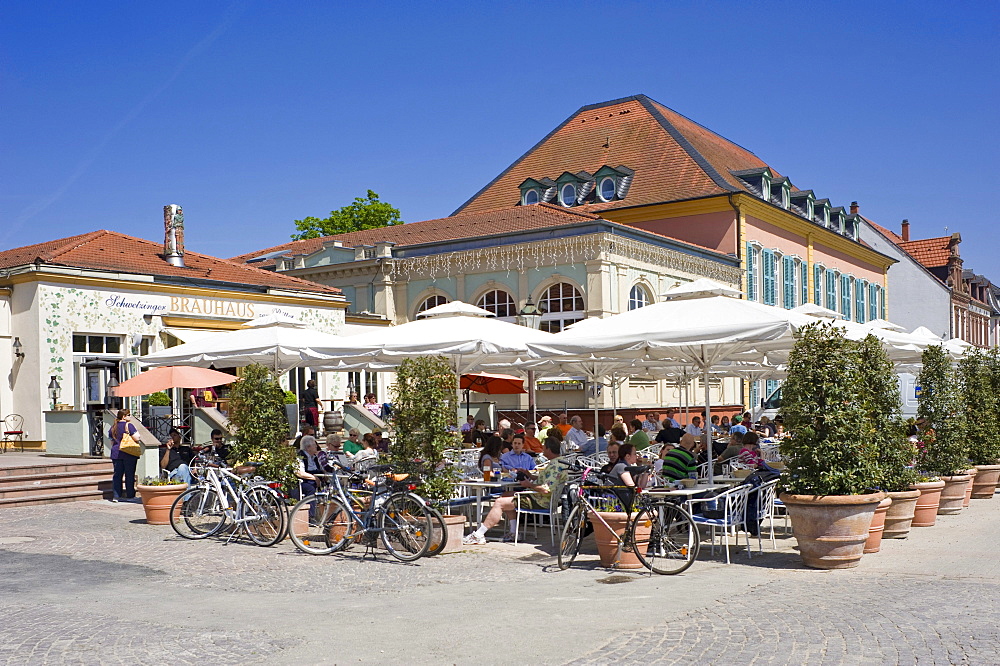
(980, 414)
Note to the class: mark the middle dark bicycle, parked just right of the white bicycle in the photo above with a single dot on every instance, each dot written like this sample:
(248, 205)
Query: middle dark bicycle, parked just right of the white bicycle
(330, 520)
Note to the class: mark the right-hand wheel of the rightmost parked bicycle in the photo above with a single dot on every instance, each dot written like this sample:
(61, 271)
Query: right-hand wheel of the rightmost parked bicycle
(665, 538)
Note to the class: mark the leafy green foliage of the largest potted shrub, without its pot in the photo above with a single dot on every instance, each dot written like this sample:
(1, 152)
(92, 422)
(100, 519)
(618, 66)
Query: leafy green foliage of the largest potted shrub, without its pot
(828, 454)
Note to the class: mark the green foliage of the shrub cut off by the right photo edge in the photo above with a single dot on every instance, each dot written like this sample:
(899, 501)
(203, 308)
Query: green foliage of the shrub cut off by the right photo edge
(979, 406)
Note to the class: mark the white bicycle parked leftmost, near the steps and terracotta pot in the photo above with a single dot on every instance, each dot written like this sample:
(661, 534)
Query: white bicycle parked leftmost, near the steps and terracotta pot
(221, 497)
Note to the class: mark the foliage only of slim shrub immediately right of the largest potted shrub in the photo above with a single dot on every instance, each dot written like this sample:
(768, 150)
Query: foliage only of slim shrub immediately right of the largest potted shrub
(878, 393)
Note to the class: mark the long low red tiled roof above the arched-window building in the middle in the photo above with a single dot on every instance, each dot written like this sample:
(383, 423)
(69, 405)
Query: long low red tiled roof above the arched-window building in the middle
(510, 219)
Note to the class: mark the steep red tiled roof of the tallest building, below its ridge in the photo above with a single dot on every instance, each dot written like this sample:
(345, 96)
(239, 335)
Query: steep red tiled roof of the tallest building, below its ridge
(674, 158)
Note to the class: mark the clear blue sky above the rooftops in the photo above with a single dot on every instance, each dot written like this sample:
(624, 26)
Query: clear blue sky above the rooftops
(253, 114)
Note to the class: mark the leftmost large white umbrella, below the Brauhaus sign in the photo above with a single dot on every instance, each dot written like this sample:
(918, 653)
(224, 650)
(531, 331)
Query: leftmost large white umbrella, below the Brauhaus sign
(275, 343)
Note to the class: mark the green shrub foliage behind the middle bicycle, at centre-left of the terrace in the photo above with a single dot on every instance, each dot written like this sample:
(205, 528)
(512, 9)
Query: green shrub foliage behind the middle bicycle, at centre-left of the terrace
(422, 408)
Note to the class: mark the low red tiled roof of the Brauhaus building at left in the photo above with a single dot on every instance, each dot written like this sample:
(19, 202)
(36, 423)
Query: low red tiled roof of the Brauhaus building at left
(112, 251)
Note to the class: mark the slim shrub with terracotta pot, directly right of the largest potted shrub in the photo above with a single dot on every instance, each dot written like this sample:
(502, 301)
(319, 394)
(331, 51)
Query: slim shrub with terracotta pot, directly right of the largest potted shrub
(894, 453)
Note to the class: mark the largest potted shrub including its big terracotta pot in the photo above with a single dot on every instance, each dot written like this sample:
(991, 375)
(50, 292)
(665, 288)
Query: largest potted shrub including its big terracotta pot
(829, 489)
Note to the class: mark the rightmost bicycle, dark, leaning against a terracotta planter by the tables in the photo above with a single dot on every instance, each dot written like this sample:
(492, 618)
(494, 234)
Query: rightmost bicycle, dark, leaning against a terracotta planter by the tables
(671, 546)
